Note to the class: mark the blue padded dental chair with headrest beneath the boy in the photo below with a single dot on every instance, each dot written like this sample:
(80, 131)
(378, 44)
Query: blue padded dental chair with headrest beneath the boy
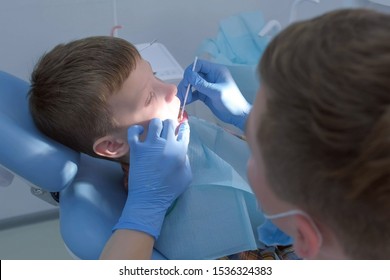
(88, 191)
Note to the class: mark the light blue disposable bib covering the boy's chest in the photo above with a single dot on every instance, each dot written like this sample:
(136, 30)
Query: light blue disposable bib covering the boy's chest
(218, 215)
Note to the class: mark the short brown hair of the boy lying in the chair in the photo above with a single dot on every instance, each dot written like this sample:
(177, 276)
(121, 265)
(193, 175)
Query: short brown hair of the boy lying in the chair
(70, 86)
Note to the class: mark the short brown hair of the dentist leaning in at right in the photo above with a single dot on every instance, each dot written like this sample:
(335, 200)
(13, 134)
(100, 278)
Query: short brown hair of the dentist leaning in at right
(325, 133)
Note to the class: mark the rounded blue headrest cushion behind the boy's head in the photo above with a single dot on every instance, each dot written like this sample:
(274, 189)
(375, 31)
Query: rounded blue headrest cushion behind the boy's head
(24, 150)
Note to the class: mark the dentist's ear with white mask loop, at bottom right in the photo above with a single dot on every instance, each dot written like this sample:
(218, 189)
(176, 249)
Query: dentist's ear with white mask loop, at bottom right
(307, 241)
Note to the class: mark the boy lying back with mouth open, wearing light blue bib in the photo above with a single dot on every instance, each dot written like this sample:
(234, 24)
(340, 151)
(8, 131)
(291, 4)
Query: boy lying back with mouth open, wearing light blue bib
(86, 93)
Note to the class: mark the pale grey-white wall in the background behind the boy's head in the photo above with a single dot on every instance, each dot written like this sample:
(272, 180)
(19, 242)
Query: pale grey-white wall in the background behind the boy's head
(30, 27)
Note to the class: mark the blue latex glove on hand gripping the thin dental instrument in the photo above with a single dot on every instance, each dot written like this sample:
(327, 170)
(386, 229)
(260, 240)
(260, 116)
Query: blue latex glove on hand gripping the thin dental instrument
(216, 87)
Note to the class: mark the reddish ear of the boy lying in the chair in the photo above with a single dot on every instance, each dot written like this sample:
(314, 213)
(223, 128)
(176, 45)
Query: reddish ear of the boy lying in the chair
(111, 147)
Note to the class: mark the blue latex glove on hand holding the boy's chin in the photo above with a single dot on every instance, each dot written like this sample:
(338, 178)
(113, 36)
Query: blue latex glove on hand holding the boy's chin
(159, 173)
